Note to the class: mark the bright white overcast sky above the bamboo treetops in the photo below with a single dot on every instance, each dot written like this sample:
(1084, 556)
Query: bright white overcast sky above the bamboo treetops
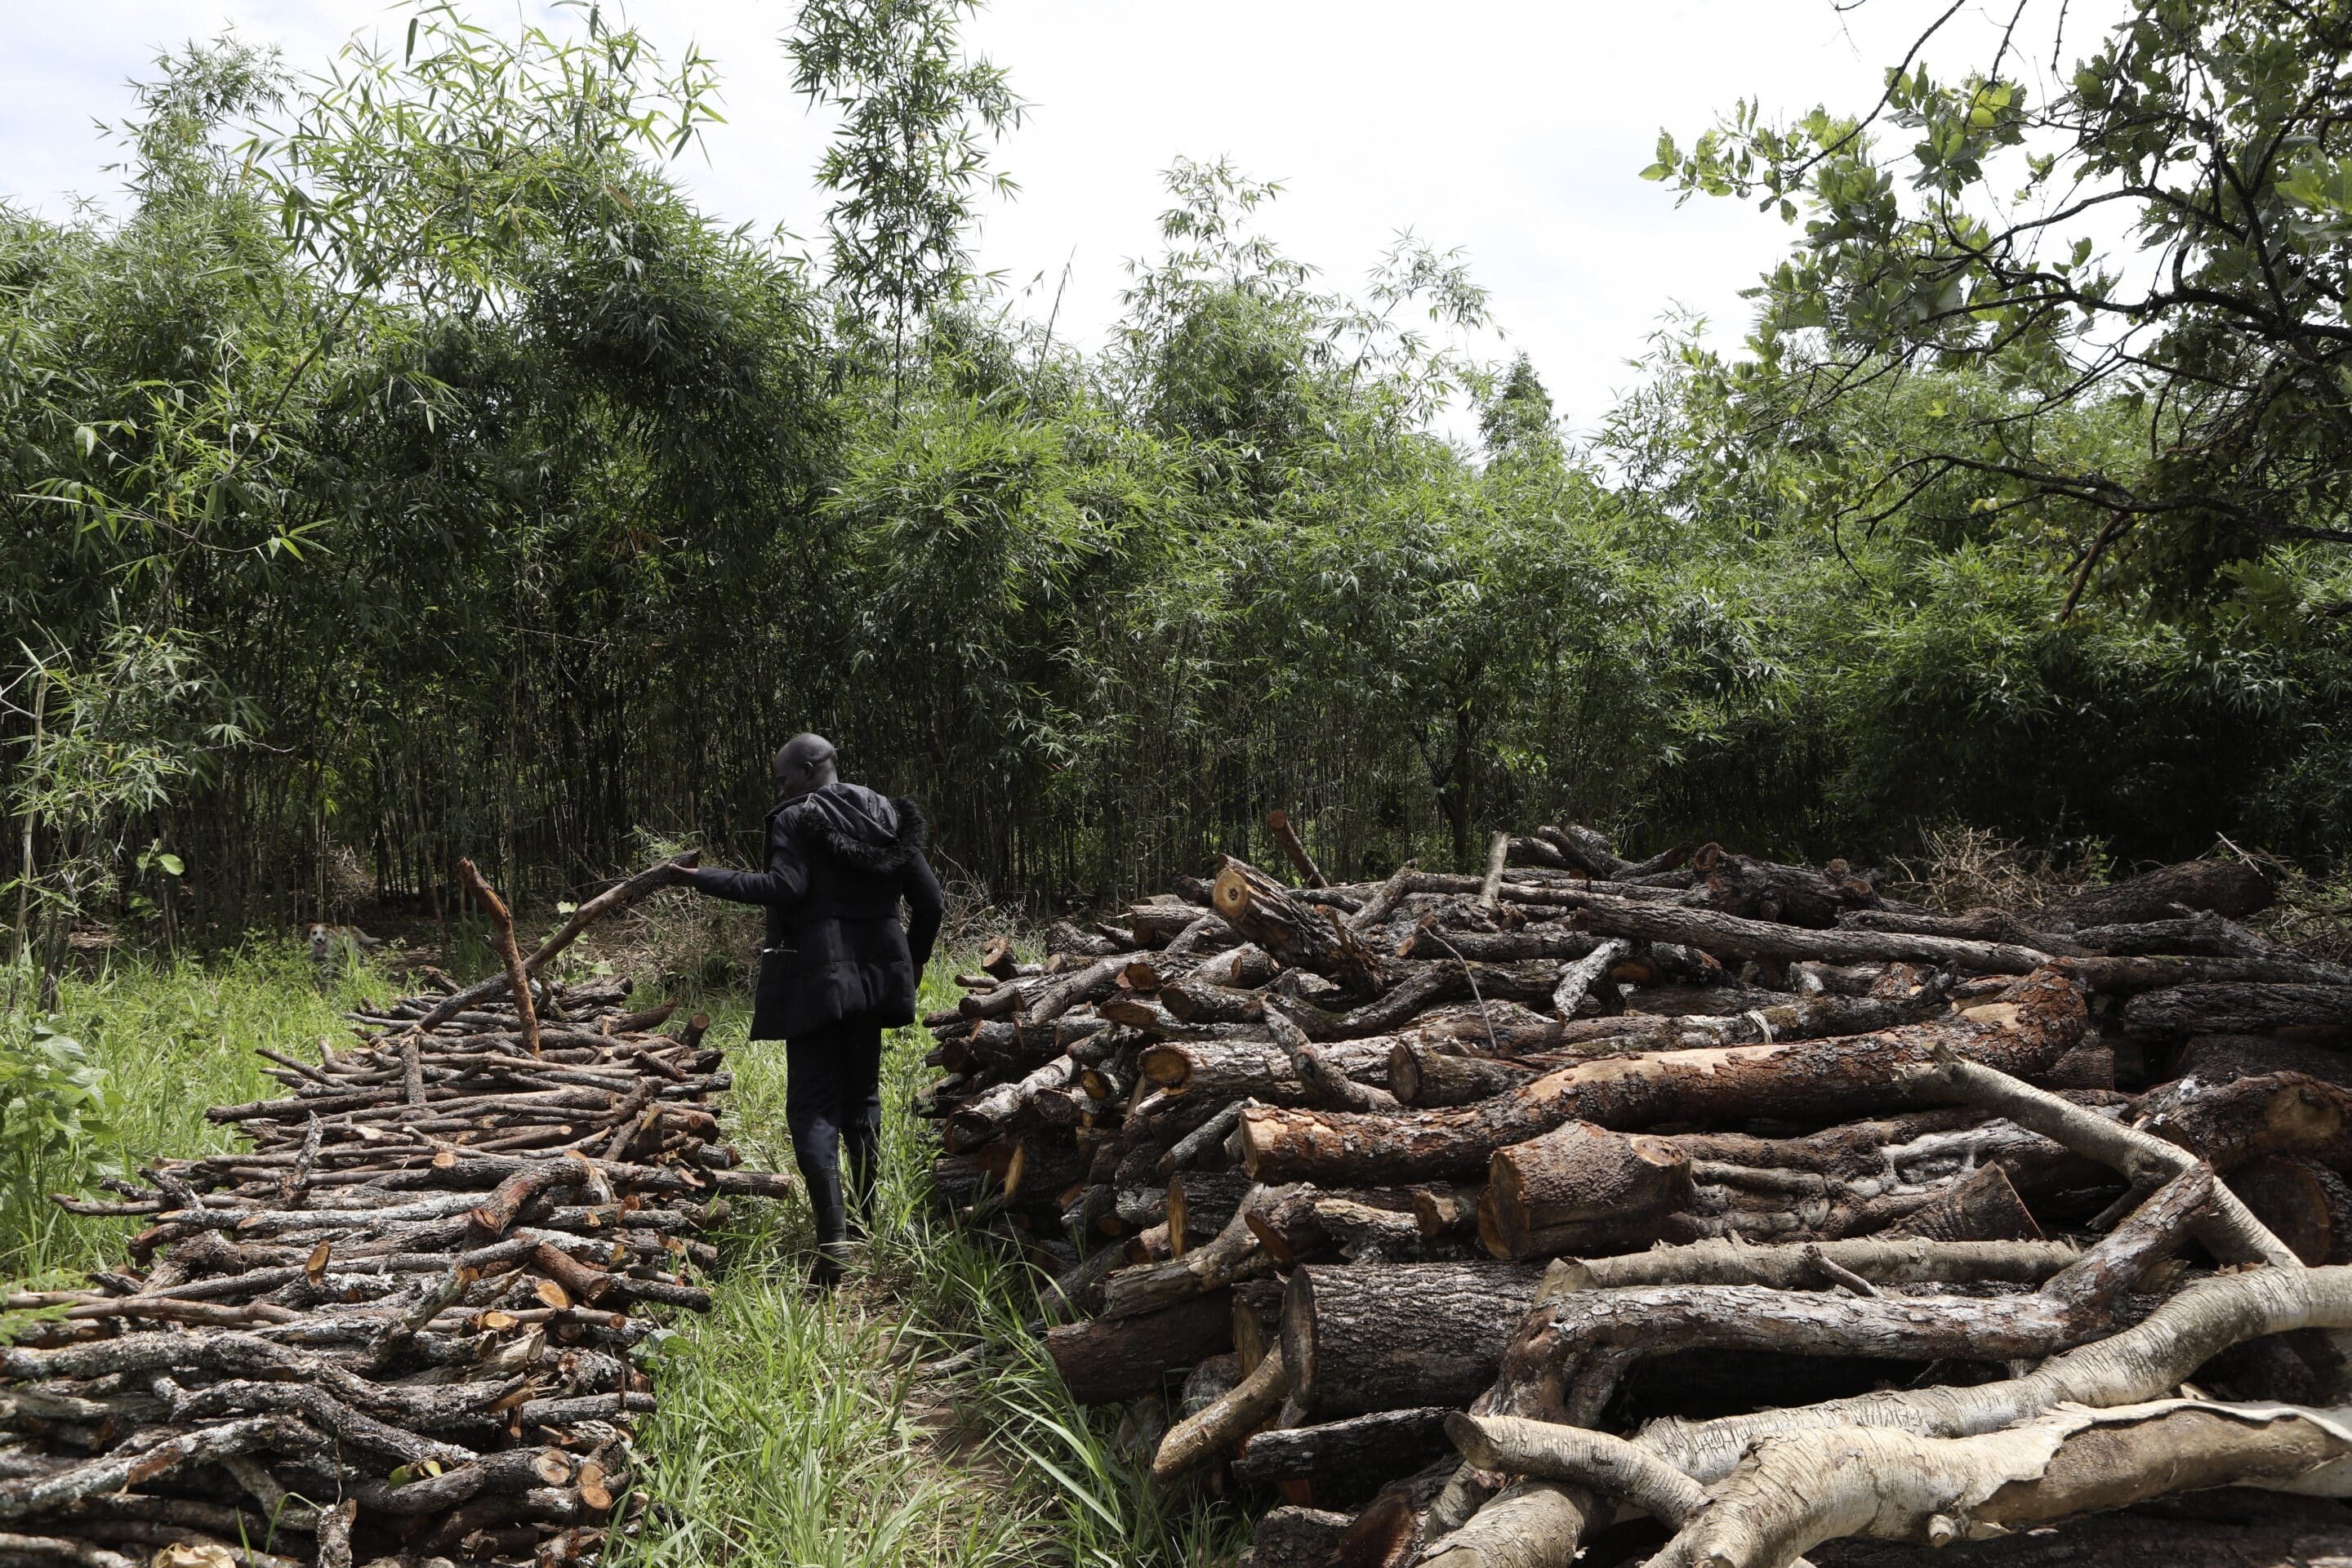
(1509, 128)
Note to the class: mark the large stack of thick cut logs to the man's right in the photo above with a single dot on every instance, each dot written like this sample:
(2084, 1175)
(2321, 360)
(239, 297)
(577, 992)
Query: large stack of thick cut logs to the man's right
(1692, 1207)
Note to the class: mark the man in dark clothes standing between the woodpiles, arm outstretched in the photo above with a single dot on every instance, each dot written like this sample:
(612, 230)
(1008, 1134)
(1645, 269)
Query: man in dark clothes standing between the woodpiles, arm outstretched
(838, 967)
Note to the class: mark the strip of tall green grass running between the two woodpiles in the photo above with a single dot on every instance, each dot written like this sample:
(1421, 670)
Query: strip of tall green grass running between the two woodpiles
(799, 1428)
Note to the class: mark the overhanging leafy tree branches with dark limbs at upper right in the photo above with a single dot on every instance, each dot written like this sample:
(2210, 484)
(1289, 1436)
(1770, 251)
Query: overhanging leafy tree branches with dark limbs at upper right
(1963, 222)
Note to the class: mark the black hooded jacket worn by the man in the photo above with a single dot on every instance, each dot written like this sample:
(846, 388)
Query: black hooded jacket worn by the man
(838, 864)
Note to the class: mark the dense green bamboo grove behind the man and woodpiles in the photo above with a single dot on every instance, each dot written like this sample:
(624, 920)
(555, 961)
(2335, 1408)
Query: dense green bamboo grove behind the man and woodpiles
(413, 471)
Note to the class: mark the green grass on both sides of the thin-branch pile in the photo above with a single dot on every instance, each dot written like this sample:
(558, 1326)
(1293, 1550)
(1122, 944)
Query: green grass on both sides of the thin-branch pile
(796, 1426)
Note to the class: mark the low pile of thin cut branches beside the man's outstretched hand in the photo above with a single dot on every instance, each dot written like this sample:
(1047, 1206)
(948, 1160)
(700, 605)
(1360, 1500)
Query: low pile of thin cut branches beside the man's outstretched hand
(399, 1325)
